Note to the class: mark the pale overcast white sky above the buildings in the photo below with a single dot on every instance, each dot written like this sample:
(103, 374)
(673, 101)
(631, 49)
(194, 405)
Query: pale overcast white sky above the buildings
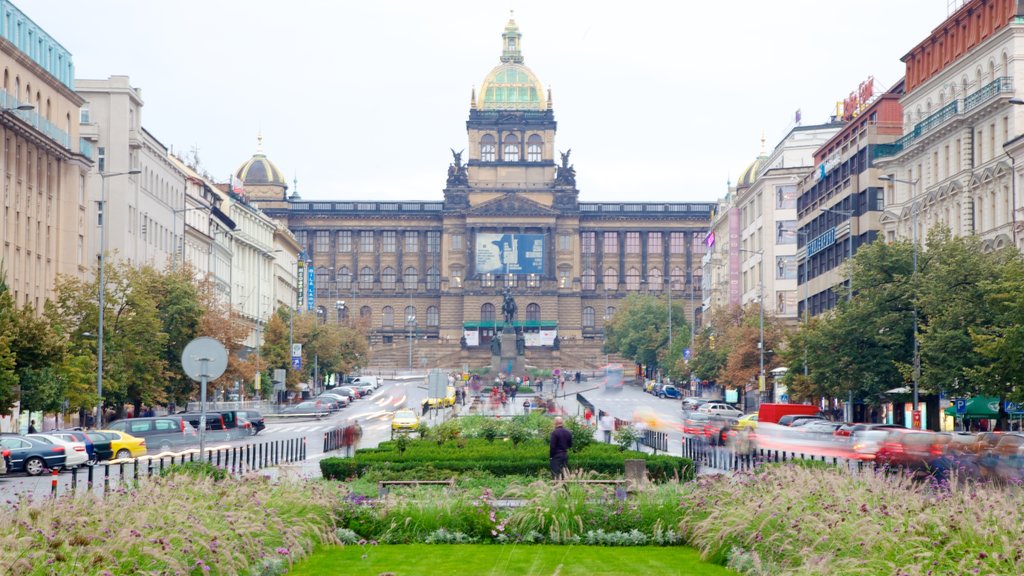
(659, 101)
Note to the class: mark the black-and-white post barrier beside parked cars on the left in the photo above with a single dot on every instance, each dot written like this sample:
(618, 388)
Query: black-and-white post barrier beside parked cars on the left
(235, 460)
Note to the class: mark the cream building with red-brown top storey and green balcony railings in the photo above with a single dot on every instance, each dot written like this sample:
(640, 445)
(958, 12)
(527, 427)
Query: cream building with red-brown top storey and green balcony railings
(950, 167)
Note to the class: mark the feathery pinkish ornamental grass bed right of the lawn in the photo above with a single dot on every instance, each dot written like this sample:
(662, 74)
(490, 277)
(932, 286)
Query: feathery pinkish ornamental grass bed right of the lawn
(797, 521)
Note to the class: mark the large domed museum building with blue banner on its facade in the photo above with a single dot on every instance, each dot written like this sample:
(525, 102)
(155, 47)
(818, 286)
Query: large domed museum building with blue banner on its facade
(510, 218)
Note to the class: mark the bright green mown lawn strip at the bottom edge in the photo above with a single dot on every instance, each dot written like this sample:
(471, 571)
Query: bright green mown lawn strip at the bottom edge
(507, 560)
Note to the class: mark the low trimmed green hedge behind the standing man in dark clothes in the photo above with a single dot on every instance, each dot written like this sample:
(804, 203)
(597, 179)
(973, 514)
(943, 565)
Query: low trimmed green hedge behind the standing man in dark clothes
(498, 459)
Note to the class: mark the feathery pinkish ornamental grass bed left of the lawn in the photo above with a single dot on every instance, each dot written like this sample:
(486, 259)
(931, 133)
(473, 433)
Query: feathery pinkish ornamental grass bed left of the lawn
(178, 525)
